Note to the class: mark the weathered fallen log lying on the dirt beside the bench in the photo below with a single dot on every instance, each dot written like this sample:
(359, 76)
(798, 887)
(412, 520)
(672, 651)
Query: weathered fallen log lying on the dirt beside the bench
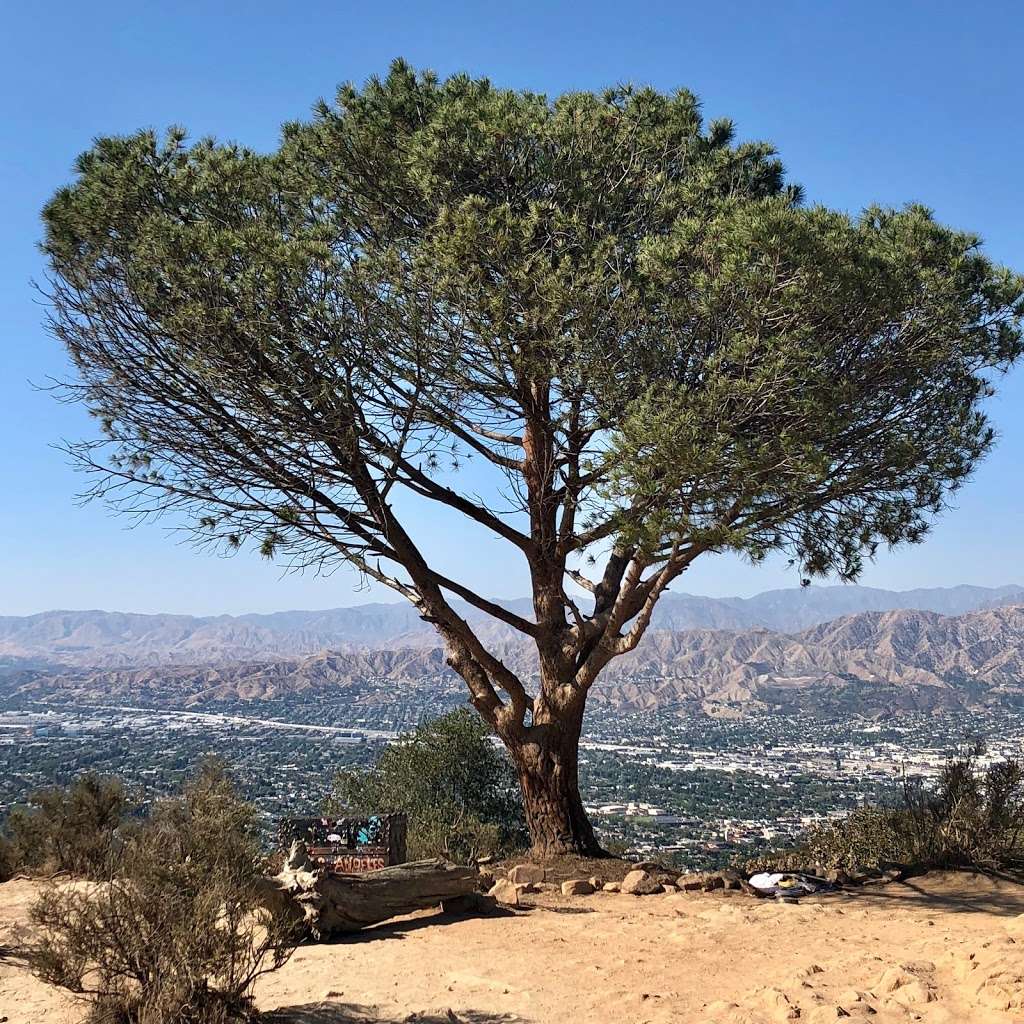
(328, 905)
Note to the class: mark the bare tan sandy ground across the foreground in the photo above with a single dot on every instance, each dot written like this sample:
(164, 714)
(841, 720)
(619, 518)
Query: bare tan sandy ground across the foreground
(944, 950)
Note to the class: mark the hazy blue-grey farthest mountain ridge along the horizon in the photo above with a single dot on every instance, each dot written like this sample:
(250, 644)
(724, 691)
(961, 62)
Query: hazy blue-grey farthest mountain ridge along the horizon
(113, 639)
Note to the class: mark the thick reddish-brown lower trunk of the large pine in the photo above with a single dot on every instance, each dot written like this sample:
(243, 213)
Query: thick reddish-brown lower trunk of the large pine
(547, 762)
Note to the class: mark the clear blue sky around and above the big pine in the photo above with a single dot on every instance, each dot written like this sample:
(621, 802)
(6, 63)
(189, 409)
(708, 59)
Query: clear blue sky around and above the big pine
(868, 102)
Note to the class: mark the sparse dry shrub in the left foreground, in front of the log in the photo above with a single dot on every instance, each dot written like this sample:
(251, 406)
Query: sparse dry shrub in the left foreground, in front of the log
(181, 931)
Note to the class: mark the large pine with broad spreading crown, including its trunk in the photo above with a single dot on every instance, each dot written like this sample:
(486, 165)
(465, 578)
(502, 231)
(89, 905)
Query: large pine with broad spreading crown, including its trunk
(635, 327)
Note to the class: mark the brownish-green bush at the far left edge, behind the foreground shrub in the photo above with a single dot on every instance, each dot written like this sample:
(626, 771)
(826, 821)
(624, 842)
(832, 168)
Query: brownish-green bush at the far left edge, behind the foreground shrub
(71, 829)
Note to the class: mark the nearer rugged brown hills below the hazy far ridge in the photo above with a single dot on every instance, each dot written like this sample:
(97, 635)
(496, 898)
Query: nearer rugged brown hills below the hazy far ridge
(870, 663)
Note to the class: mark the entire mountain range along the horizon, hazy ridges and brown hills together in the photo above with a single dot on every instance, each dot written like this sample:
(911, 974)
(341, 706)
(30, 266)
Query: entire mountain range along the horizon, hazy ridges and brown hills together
(872, 662)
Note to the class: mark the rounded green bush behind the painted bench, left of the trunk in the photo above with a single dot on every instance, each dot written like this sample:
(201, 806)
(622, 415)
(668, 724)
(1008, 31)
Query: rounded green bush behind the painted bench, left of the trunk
(456, 787)
